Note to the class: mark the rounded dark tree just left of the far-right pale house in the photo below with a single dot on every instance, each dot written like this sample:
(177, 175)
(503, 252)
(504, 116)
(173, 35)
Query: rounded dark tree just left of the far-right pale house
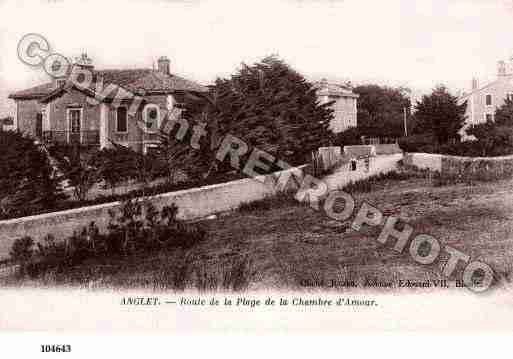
(440, 114)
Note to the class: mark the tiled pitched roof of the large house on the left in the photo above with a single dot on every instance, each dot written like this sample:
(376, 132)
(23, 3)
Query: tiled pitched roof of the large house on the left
(151, 81)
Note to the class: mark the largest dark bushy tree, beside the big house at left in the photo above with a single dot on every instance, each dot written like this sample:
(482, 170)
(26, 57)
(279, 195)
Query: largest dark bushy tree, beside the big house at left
(267, 105)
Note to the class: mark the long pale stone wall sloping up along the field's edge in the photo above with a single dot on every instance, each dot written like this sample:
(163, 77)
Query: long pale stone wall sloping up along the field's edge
(192, 204)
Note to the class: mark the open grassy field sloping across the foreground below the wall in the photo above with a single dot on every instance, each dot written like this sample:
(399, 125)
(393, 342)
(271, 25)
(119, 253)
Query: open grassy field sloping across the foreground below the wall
(285, 245)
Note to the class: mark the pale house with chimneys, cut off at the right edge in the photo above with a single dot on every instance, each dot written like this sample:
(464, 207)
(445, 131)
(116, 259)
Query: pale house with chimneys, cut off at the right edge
(482, 101)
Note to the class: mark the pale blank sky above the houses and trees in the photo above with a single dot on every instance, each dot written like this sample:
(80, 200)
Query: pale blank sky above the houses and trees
(399, 42)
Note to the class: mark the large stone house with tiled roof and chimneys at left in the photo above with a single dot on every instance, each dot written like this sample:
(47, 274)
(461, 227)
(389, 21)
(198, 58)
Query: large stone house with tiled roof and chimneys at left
(97, 113)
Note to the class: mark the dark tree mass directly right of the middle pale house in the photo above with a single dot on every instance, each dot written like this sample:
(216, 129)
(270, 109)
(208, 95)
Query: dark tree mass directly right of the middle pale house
(381, 110)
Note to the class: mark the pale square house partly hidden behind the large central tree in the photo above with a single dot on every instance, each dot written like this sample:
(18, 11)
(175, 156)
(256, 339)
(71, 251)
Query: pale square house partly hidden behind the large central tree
(344, 106)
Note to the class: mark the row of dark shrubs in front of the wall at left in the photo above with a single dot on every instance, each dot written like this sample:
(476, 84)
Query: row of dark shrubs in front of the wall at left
(136, 228)
